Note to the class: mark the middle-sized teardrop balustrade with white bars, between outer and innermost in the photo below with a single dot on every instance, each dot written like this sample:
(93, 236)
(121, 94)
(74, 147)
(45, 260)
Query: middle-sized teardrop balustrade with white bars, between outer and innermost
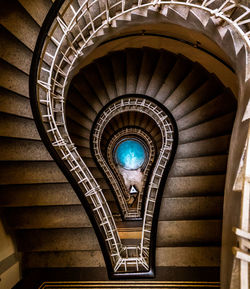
(168, 132)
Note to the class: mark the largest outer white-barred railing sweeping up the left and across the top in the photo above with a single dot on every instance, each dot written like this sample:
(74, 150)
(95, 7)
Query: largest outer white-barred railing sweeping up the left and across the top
(69, 29)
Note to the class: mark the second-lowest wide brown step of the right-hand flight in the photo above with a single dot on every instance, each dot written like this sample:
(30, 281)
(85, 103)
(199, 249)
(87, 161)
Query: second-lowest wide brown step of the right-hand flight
(188, 233)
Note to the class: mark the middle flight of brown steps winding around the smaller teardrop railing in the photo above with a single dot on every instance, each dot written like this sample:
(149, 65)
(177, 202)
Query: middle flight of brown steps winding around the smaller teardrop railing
(191, 209)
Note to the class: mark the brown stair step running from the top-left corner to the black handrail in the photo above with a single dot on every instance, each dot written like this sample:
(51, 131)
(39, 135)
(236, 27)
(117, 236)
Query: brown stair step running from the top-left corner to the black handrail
(18, 21)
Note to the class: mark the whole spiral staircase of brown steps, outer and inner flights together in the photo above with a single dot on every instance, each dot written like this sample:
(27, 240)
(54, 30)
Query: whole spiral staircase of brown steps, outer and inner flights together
(52, 231)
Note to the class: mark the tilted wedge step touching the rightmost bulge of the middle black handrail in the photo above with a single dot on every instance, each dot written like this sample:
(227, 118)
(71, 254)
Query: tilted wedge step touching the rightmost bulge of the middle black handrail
(219, 126)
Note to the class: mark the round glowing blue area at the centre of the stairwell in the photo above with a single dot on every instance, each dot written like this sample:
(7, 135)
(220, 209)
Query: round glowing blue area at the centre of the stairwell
(130, 154)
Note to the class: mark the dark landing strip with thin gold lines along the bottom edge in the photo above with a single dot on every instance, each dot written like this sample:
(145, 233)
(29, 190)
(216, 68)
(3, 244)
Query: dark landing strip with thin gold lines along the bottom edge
(88, 276)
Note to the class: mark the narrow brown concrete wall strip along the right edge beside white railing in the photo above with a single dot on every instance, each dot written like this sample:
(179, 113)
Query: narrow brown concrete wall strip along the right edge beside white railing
(232, 199)
